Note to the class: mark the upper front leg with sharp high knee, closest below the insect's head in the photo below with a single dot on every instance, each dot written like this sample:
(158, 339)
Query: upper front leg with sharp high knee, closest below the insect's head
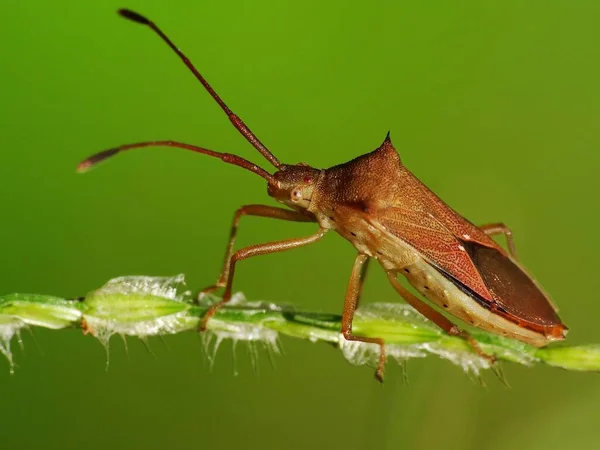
(252, 210)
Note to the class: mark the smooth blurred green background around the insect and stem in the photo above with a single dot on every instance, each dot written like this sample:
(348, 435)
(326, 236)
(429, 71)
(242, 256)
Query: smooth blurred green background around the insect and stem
(495, 105)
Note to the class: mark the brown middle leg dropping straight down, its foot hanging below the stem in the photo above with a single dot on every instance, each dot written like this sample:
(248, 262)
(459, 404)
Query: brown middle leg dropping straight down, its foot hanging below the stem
(350, 303)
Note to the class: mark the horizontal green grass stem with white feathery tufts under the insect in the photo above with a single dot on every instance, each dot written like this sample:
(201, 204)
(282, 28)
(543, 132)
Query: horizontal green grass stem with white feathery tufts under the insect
(146, 306)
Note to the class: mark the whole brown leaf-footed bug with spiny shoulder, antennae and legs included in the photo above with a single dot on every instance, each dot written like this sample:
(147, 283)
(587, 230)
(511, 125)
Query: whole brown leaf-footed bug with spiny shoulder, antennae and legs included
(379, 206)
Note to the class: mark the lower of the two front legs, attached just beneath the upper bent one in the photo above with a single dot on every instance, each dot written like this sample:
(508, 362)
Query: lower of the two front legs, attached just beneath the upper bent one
(256, 250)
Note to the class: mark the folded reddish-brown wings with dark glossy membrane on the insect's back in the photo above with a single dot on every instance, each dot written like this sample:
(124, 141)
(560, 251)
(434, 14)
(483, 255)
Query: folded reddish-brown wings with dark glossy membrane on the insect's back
(466, 255)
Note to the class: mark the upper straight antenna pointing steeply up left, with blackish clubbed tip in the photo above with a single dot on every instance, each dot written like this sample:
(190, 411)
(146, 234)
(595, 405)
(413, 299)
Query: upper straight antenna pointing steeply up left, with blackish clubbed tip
(235, 120)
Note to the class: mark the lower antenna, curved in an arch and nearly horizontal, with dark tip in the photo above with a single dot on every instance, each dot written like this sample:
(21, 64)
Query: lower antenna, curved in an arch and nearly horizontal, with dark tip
(225, 157)
